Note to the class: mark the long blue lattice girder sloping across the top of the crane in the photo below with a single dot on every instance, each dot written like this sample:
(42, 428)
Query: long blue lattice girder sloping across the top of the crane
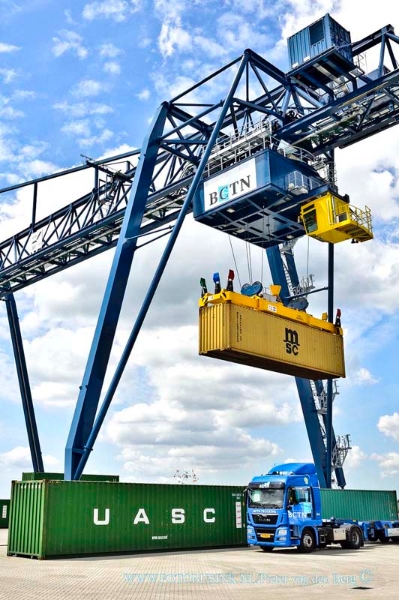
(90, 224)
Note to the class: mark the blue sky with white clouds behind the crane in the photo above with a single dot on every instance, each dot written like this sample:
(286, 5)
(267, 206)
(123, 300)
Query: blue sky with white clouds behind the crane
(86, 78)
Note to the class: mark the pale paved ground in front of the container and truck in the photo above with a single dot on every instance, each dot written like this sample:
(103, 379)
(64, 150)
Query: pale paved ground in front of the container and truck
(236, 574)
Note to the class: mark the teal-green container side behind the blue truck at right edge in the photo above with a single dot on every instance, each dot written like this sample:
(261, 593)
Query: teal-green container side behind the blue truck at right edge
(363, 505)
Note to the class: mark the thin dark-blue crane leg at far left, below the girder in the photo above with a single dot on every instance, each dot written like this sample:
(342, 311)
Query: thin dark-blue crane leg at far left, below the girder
(24, 386)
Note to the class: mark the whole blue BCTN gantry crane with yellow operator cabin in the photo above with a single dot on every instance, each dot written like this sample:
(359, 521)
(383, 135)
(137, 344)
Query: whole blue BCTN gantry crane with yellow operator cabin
(246, 165)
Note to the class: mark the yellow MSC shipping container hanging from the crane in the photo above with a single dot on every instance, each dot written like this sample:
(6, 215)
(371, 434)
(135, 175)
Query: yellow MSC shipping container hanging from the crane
(258, 339)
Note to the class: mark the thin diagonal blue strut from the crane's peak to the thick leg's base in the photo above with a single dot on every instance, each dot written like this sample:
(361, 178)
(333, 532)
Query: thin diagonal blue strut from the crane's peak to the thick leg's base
(80, 456)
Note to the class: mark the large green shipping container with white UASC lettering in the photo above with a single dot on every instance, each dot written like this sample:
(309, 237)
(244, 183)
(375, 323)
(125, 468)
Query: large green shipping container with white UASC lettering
(67, 518)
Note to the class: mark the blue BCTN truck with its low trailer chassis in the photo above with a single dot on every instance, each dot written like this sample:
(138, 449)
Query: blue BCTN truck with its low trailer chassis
(284, 509)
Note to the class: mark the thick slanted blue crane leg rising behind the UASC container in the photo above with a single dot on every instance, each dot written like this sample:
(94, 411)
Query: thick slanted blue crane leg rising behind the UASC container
(100, 351)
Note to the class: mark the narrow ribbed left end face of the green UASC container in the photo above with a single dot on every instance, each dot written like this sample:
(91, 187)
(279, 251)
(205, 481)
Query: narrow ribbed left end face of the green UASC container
(25, 535)
